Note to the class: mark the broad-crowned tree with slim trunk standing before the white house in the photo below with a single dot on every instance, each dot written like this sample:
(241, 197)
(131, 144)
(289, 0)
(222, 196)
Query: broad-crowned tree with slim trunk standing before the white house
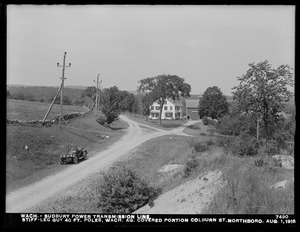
(164, 86)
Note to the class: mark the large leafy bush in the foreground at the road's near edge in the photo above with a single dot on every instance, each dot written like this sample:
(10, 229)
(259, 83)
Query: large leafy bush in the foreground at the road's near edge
(124, 191)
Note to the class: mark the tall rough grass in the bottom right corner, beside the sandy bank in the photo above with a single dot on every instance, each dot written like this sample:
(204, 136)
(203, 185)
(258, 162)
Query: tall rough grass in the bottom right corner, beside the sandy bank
(248, 188)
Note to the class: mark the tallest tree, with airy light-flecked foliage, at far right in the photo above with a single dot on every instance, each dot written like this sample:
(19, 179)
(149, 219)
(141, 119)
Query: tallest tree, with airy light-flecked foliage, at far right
(262, 91)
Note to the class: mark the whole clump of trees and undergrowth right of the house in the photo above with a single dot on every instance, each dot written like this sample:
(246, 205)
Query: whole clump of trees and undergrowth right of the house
(259, 101)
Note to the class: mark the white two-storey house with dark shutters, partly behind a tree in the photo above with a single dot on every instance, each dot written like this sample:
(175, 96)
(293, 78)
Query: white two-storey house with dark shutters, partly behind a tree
(171, 110)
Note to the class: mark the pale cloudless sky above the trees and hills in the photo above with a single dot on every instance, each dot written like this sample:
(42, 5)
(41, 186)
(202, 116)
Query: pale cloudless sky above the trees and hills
(207, 45)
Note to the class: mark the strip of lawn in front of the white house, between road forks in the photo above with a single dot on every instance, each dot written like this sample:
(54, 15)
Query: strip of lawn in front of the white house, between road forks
(165, 124)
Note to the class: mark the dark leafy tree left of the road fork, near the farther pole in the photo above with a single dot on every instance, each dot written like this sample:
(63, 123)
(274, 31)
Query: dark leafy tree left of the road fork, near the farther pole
(110, 100)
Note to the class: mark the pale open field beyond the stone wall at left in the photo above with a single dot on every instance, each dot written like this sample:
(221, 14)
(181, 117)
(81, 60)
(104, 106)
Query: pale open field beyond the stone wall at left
(30, 110)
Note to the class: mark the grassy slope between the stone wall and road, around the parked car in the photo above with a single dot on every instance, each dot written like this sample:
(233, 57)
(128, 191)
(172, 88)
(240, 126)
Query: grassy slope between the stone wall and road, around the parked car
(47, 144)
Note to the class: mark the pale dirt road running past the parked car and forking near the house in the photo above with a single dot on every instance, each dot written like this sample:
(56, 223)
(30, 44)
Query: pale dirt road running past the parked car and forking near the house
(20, 200)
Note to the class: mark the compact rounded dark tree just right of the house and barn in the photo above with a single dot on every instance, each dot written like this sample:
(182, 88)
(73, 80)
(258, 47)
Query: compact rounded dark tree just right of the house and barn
(213, 103)
